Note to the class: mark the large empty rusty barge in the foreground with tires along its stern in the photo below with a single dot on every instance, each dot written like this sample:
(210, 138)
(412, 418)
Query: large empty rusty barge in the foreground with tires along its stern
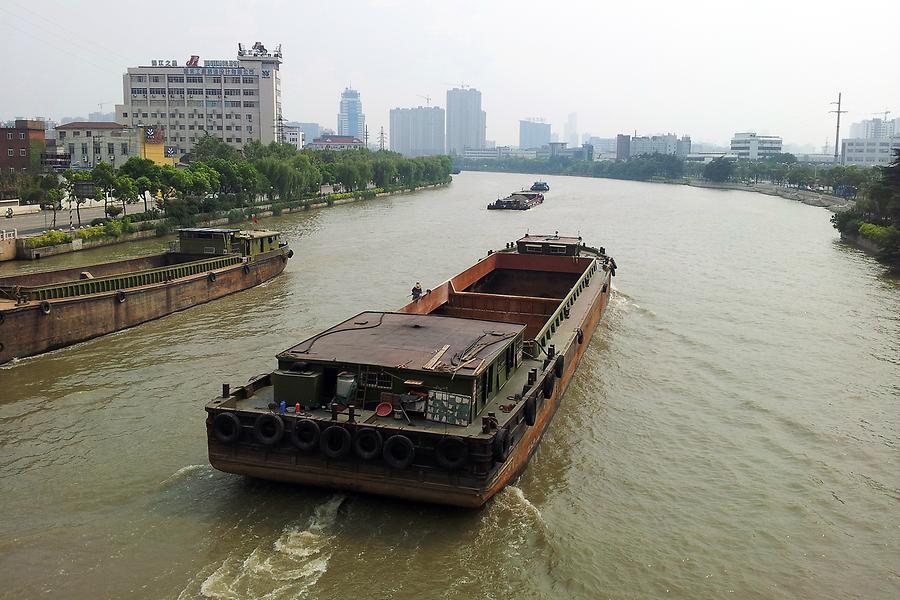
(442, 401)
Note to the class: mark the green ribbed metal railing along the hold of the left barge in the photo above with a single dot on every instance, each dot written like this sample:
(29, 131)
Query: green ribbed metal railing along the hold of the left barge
(122, 281)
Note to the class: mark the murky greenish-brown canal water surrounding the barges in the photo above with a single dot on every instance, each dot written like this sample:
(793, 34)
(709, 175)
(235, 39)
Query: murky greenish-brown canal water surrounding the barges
(732, 430)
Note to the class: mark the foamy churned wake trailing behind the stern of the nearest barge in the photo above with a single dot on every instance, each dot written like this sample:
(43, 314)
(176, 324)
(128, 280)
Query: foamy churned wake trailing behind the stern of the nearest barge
(289, 567)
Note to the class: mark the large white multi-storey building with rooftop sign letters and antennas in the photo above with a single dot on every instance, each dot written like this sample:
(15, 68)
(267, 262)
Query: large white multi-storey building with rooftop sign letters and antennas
(237, 101)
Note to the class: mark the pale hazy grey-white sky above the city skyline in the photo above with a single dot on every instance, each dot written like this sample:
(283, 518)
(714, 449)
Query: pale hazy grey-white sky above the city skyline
(706, 69)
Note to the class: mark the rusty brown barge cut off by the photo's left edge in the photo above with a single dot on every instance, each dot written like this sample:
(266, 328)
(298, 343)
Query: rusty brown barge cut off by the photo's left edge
(48, 310)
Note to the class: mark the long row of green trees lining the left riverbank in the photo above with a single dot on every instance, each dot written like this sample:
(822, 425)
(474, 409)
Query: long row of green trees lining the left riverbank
(218, 176)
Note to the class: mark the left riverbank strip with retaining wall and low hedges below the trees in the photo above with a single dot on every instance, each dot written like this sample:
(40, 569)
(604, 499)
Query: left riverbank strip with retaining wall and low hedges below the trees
(259, 211)
